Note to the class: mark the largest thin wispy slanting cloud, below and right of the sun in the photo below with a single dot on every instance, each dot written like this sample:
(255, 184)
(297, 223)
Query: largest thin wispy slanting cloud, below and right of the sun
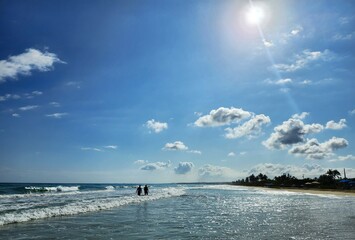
(304, 59)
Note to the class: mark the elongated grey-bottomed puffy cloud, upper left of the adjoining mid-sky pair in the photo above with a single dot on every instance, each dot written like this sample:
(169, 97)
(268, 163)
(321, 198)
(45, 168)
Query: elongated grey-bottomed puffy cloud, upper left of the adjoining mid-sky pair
(222, 116)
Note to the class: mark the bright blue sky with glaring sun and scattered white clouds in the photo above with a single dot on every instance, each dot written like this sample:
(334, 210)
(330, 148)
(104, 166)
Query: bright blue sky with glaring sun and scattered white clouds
(175, 91)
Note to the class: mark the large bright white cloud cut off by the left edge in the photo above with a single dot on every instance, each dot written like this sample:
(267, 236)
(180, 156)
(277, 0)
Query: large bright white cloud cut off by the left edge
(25, 63)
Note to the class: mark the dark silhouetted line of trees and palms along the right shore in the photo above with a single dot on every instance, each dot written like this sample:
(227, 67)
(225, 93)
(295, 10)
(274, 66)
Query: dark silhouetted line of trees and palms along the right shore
(331, 179)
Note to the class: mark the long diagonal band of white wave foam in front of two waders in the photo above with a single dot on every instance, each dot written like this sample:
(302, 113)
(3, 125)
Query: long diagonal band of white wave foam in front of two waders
(85, 205)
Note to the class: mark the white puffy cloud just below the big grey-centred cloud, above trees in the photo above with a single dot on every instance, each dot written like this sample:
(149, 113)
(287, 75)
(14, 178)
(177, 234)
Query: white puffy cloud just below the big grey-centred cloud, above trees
(312, 149)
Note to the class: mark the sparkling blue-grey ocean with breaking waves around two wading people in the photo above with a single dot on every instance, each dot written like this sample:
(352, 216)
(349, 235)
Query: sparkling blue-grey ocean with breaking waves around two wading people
(170, 211)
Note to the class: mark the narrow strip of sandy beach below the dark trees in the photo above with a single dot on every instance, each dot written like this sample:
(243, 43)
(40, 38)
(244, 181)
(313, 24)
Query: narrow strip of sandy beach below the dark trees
(337, 192)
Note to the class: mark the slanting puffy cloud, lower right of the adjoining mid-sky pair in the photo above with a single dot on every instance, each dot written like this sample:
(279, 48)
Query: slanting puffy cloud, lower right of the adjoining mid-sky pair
(249, 128)
